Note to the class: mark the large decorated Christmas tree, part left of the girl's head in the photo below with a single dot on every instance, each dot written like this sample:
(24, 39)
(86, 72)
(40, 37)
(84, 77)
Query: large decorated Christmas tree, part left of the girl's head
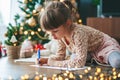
(29, 21)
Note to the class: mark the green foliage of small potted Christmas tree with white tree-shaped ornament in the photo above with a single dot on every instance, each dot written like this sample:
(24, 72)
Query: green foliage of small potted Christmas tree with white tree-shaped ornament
(13, 34)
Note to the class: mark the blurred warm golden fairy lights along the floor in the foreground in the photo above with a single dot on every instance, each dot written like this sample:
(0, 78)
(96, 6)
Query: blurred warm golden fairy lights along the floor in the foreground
(86, 74)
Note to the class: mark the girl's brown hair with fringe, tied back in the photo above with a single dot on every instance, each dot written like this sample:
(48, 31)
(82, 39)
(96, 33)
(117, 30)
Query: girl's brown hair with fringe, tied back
(55, 14)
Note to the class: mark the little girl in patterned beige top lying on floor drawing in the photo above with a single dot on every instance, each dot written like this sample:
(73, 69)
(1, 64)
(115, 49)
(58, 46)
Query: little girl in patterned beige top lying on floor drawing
(81, 40)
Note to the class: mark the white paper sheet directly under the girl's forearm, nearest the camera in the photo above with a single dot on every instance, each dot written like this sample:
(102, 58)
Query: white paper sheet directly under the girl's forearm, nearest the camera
(60, 68)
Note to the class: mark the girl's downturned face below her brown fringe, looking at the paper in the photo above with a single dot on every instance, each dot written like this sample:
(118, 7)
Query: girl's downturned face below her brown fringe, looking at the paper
(58, 33)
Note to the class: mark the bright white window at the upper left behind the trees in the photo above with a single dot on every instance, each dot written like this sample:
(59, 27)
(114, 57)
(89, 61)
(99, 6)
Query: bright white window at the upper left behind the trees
(8, 8)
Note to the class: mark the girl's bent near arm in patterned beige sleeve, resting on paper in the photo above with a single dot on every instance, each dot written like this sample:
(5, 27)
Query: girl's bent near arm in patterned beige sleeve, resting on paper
(80, 41)
